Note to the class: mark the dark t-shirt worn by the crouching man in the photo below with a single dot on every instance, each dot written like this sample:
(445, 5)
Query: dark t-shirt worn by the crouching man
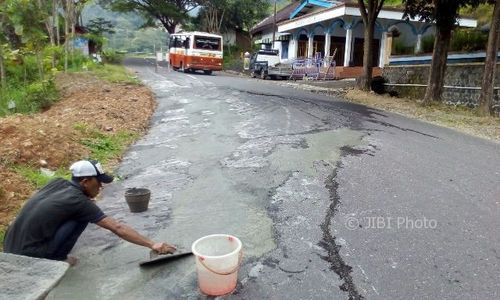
(37, 223)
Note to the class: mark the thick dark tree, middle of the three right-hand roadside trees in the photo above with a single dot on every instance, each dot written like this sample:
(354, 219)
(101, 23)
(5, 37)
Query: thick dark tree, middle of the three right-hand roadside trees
(444, 13)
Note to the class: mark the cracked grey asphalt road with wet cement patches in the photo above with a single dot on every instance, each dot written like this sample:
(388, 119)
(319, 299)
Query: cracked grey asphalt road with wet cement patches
(331, 200)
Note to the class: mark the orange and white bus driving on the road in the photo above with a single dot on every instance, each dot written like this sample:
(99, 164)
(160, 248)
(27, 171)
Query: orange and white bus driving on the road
(191, 51)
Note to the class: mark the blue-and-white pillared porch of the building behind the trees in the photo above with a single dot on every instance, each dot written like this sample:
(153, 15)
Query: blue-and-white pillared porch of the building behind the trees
(328, 29)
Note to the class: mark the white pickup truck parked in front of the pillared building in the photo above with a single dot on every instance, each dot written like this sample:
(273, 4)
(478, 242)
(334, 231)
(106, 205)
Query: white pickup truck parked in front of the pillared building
(266, 63)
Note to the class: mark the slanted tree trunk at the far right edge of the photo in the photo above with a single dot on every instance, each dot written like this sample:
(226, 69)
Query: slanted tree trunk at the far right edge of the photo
(487, 91)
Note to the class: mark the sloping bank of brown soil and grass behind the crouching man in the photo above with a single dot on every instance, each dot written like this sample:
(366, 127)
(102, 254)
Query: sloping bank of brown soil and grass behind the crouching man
(111, 92)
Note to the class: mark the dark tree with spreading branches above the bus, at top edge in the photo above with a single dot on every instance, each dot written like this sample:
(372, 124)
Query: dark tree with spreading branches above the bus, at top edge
(169, 13)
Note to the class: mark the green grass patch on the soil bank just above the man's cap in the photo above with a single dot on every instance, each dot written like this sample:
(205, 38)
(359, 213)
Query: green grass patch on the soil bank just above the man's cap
(103, 146)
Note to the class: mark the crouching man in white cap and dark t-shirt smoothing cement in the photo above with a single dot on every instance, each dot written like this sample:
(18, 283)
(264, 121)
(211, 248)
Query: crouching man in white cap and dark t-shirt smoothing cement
(53, 219)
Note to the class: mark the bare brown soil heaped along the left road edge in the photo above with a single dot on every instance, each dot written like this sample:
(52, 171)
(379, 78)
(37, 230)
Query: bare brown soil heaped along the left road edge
(49, 139)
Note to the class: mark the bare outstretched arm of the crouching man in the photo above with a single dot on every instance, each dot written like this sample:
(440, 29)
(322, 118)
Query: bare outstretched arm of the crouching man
(129, 234)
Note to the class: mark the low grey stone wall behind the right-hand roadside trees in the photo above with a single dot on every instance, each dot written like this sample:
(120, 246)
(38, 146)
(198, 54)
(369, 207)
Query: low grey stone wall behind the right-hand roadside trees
(461, 75)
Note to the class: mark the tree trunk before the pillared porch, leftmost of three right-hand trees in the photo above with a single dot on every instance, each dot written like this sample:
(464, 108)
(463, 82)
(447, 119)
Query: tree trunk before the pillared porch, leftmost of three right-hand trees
(369, 13)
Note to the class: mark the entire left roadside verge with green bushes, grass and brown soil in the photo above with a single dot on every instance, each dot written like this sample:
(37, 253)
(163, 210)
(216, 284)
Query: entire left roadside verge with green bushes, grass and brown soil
(52, 97)
